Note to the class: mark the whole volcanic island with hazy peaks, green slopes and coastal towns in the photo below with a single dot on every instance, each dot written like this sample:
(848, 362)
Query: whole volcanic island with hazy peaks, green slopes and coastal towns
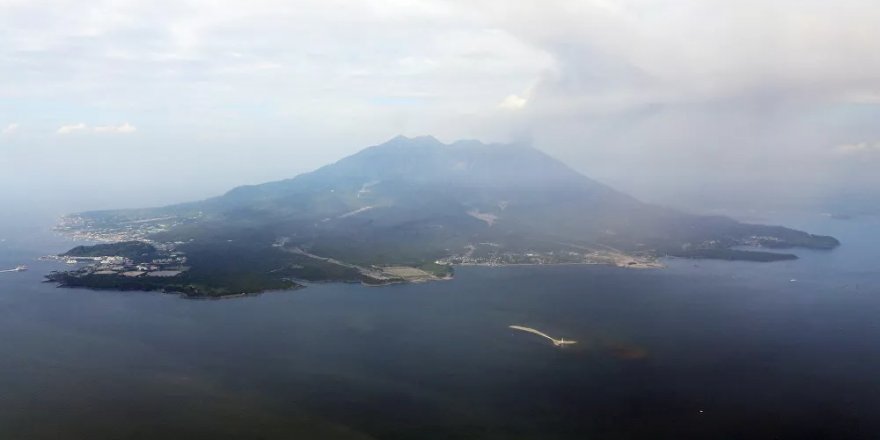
(407, 210)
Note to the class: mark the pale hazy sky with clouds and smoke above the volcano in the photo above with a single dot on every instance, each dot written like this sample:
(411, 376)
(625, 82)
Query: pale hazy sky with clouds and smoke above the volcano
(128, 103)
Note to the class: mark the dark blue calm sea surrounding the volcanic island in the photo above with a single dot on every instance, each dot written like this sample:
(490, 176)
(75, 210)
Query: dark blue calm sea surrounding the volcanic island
(700, 350)
